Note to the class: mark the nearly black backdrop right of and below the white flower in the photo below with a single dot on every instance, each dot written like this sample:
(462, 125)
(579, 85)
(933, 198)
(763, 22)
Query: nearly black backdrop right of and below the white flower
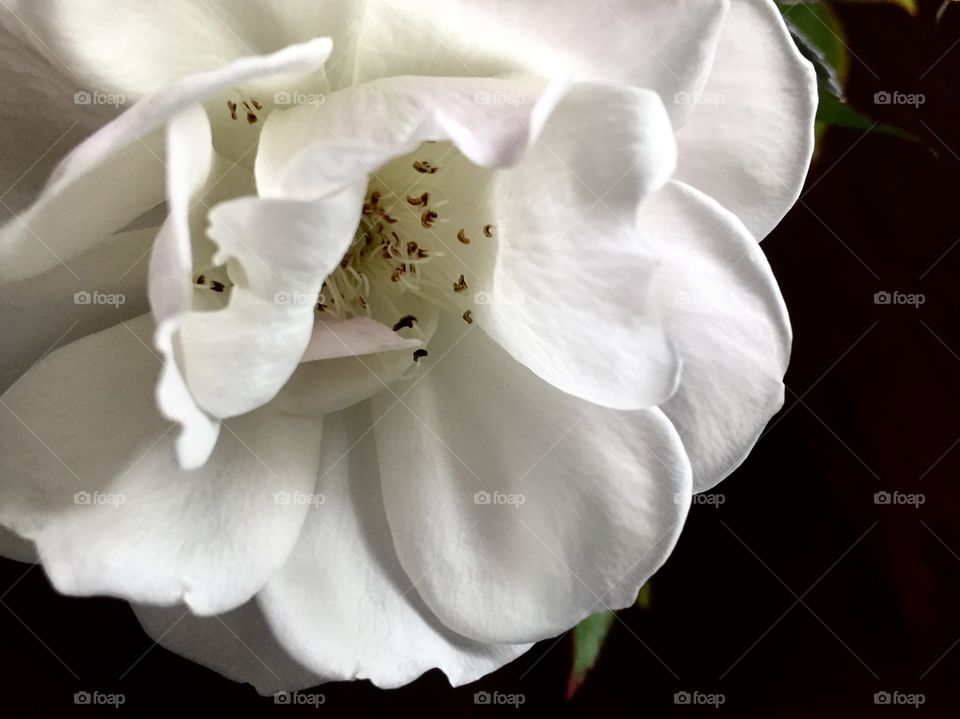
(799, 593)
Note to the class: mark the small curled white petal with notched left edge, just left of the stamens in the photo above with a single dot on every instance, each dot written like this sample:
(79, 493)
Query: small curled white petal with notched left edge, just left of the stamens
(279, 252)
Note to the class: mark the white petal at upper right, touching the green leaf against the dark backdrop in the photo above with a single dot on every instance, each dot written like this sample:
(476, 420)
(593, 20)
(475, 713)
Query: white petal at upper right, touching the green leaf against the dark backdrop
(749, 142)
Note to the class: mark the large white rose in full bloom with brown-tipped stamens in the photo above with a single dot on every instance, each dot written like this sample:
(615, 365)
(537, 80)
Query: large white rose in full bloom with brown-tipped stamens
(474, 288)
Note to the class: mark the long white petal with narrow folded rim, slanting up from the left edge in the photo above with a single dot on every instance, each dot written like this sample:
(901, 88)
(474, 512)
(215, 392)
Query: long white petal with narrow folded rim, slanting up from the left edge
(117, 174)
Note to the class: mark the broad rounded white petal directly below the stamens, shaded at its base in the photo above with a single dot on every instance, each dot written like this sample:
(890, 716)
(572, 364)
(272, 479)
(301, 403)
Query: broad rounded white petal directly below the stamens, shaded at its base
(598, 496)
